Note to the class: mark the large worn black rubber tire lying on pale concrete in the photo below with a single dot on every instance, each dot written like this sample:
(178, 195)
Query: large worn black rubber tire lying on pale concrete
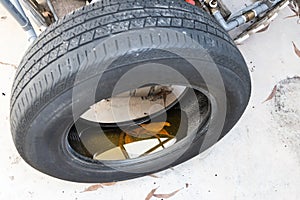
(43, 102)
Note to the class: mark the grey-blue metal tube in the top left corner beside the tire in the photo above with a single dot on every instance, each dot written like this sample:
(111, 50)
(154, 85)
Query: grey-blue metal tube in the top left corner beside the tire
(16, 10)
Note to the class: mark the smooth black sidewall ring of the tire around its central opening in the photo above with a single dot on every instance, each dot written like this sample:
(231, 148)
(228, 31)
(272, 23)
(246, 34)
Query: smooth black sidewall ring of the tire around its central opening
(49, 129)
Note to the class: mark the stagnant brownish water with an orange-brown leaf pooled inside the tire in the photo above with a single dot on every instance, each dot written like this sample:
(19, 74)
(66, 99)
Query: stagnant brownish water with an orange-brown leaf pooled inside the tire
(97, 140)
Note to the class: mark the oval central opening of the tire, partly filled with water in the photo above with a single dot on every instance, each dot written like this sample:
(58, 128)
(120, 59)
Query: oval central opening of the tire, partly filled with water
(117, 140)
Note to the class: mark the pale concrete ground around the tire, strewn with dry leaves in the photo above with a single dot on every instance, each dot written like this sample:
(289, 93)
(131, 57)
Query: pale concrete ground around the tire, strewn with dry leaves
(258, 159)
